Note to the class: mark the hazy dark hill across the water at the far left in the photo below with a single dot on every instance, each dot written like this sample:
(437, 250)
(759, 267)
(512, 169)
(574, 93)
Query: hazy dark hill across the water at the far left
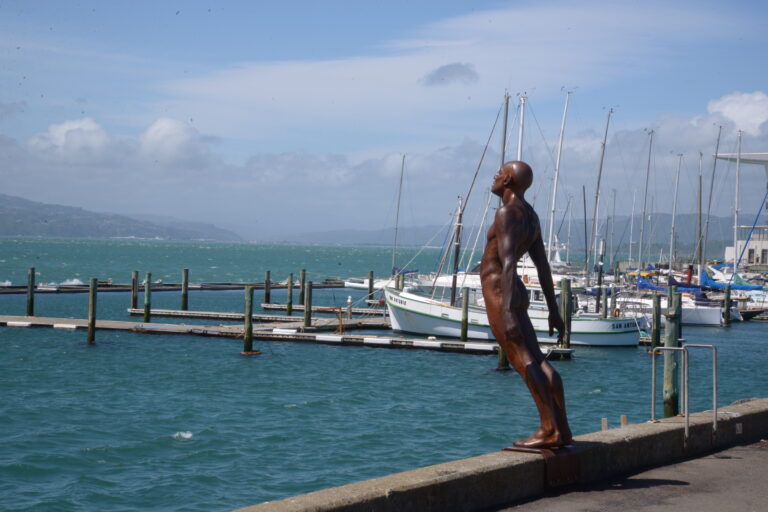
(22, 217)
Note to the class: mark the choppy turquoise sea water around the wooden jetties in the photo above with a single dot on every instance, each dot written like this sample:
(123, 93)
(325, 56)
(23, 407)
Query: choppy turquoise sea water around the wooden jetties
(142, 422)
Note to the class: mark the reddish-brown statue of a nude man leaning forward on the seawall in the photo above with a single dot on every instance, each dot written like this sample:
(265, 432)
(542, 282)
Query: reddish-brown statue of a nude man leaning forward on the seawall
(514, 232)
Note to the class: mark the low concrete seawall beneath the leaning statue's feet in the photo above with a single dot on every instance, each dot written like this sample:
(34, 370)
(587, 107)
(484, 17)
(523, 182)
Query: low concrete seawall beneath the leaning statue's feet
(502, 478)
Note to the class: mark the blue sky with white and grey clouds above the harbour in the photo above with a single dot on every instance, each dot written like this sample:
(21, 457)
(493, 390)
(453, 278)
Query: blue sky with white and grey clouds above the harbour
(269, 117)
